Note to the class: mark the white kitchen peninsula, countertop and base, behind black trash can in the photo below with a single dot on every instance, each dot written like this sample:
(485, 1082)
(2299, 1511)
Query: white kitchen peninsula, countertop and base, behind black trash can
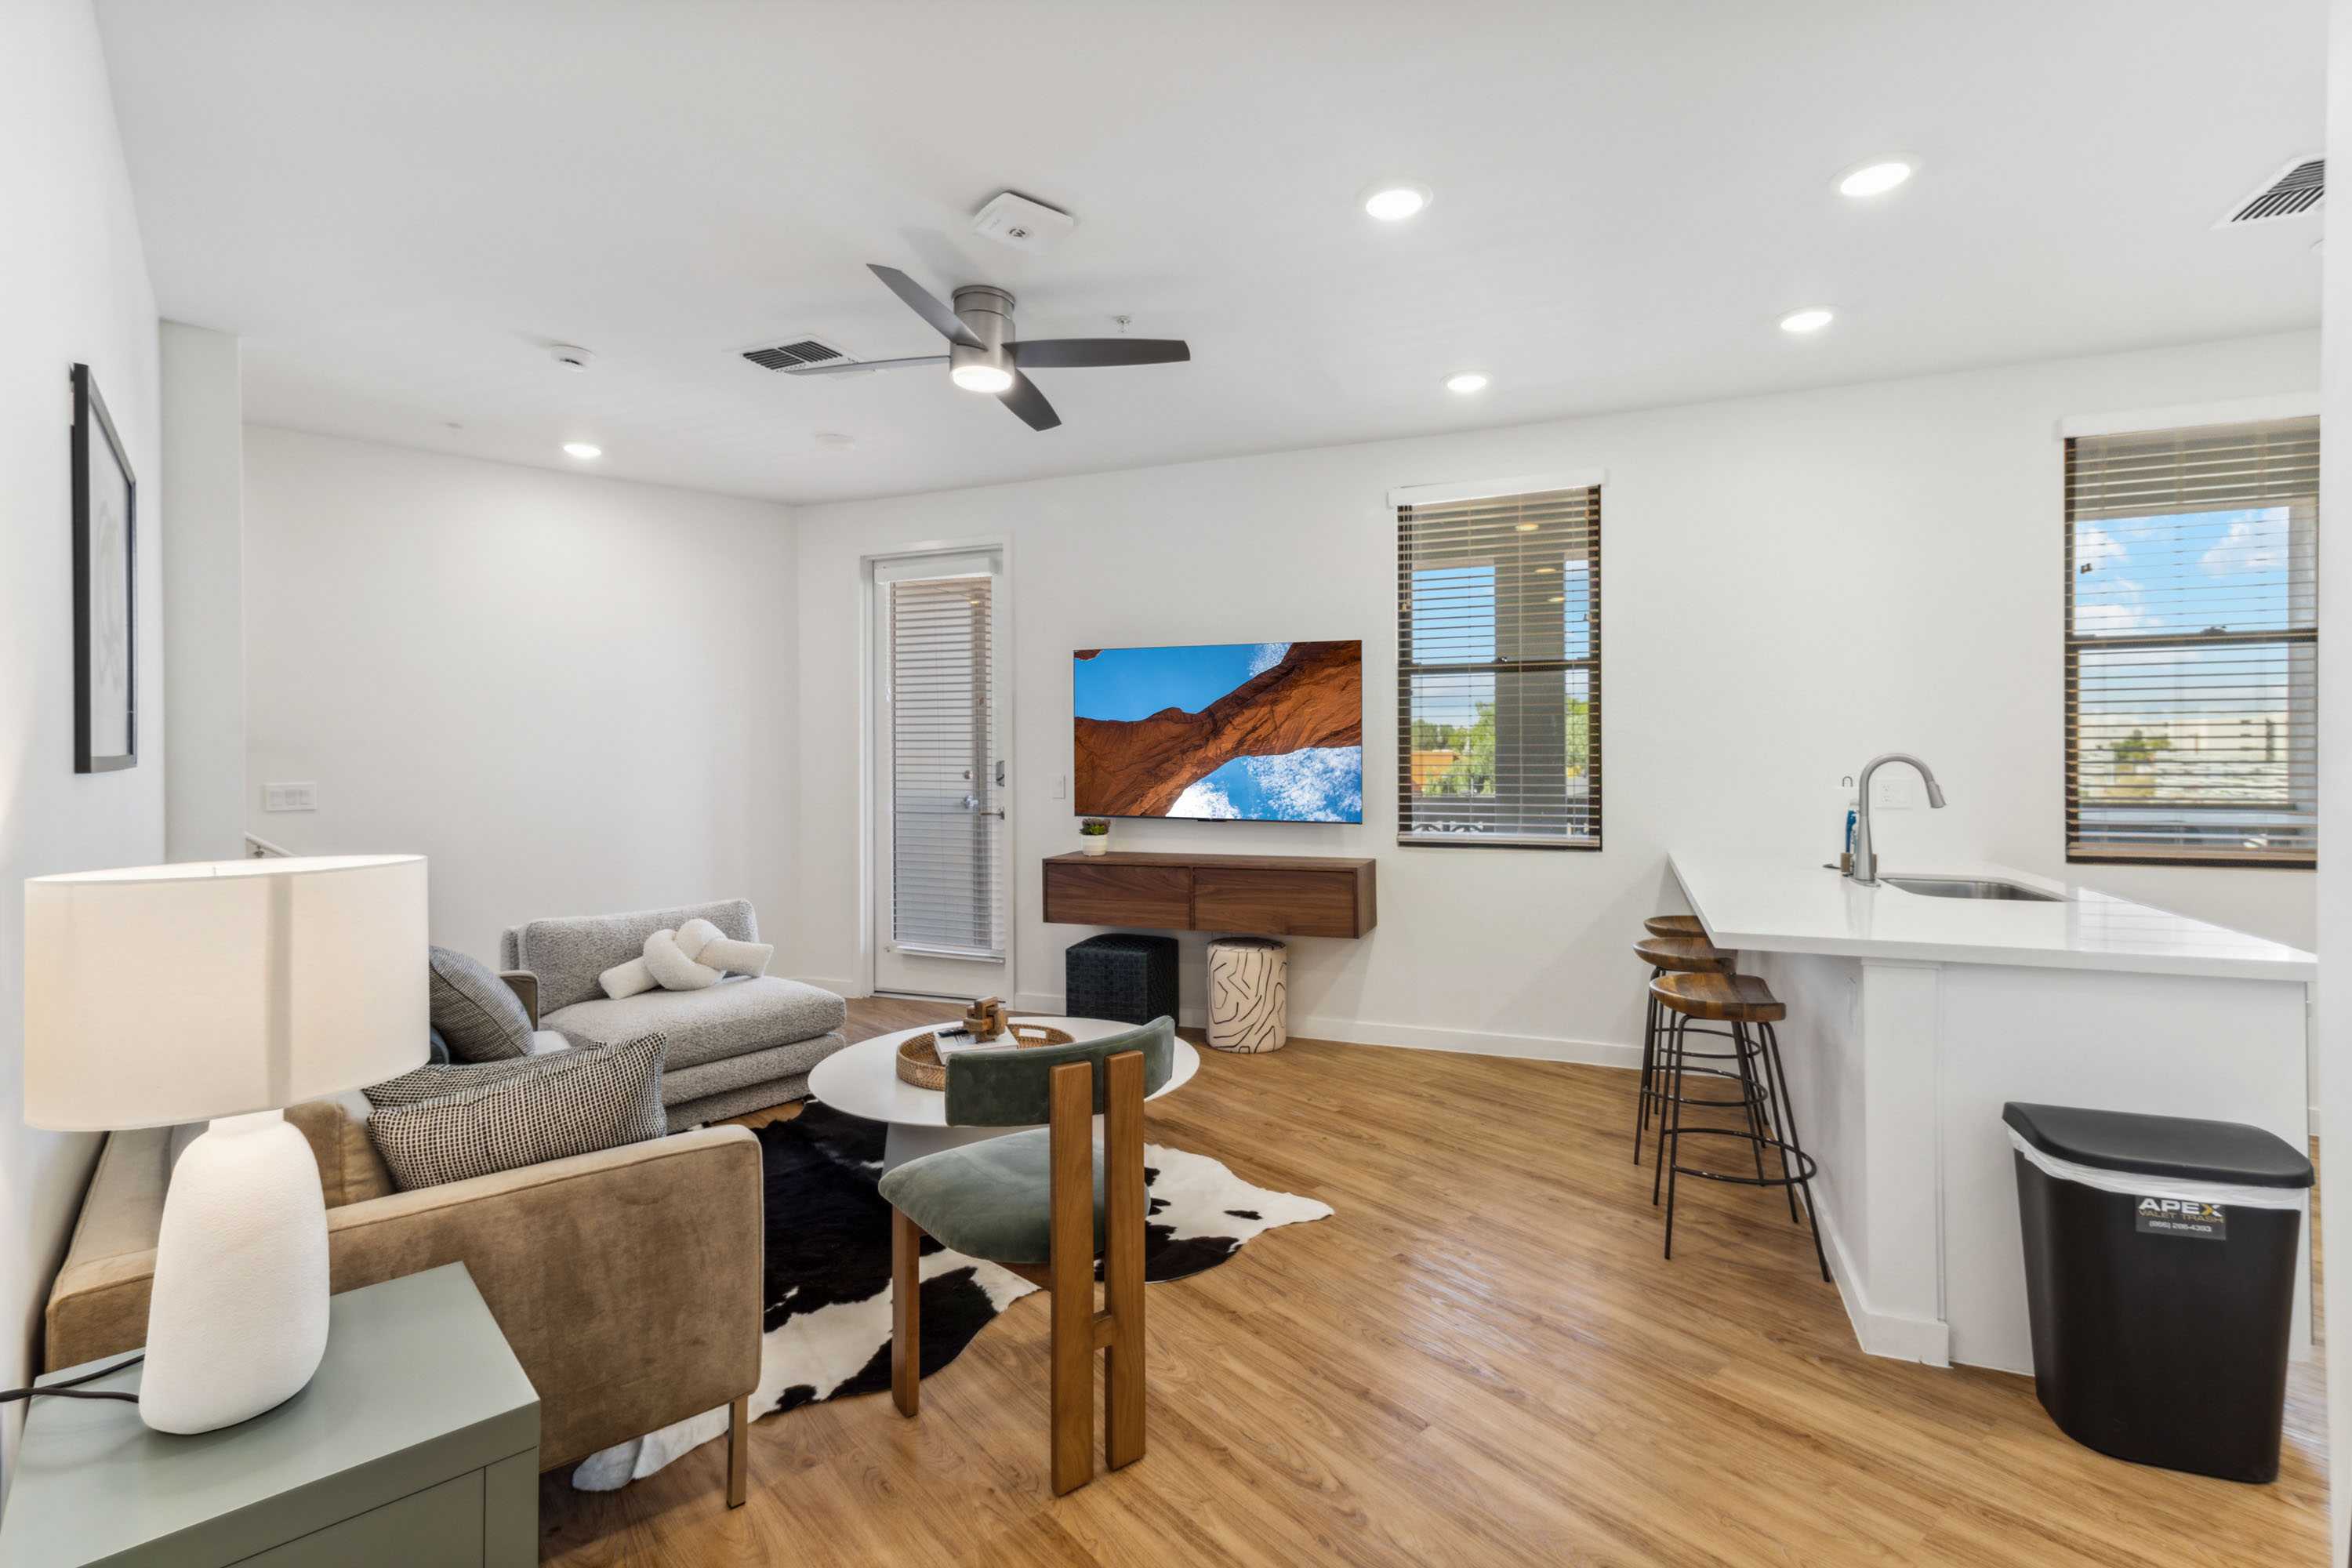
(1913, 1019)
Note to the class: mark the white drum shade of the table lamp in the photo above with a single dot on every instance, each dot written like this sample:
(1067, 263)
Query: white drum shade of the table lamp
(185, 993)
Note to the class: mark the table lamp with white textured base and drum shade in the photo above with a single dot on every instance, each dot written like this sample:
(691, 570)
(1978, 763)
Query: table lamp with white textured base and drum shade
(225, 991)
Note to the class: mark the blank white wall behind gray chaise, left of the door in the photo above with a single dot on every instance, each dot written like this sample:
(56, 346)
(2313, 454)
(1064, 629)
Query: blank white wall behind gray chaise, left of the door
(573, 695)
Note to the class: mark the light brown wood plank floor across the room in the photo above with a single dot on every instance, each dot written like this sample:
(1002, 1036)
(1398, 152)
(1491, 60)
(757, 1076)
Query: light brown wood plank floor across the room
(1481, 1360)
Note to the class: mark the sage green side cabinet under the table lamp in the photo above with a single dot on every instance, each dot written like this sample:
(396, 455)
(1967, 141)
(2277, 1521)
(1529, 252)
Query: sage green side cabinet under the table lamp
(417, 1442)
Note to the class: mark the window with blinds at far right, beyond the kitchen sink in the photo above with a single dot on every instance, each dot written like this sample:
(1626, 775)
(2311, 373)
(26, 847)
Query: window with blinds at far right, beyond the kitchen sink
(2191, 645)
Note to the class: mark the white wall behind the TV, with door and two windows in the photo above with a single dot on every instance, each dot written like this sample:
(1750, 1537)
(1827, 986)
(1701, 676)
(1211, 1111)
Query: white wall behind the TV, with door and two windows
(1791, 584)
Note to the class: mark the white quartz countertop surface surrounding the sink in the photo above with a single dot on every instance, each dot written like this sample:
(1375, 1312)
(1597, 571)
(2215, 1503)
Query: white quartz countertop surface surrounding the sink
(1793, 904)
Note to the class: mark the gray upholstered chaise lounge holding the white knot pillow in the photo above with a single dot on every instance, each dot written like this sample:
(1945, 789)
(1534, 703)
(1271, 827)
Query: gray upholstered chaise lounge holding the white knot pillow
(735, 1047)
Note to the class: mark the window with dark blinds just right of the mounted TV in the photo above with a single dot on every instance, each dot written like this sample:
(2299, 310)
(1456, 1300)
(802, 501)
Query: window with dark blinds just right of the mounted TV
(1499, 666)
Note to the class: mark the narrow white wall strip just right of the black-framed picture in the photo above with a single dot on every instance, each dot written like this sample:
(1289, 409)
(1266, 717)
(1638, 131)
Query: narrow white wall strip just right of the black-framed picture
(203, 453)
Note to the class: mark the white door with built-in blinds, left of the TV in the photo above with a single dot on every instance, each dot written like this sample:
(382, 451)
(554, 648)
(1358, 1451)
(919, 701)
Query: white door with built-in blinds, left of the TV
(942, 777)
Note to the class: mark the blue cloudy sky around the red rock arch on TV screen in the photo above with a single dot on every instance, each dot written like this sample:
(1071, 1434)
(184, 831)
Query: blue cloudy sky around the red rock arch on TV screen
(1304, 786)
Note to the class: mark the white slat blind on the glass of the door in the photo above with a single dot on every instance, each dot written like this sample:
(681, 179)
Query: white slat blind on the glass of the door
(947, 819)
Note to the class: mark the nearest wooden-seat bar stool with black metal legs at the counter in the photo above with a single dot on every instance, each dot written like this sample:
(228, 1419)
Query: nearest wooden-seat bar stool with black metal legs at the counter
(1749, 1007)
